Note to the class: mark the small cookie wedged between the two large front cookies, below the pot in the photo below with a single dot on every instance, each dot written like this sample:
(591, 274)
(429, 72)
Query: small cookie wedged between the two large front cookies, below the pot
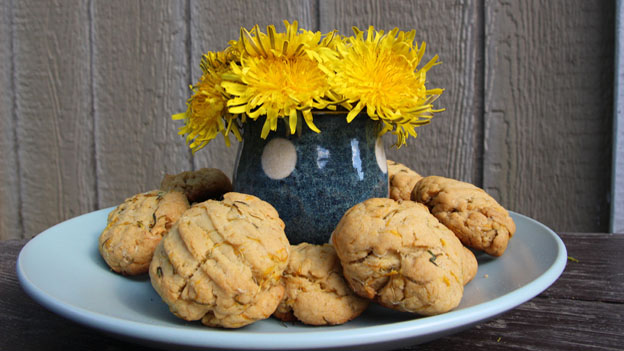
(316, 292)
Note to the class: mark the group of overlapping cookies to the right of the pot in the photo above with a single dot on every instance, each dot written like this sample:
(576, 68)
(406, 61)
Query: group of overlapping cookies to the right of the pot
(406, 252)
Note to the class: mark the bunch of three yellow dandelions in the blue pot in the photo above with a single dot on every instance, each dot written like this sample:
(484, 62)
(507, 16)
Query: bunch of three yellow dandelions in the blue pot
(287, 76)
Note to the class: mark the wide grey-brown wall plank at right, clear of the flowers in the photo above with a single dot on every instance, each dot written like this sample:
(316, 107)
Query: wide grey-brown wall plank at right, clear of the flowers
(548, 101)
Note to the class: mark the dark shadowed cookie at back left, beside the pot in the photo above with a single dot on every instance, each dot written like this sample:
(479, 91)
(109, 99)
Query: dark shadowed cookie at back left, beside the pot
(200, 185)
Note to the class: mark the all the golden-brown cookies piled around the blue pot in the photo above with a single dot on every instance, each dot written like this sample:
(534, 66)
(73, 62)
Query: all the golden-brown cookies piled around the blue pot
(223, 257)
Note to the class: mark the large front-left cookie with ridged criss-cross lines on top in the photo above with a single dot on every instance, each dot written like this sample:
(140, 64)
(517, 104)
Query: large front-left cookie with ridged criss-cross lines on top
(223, 261)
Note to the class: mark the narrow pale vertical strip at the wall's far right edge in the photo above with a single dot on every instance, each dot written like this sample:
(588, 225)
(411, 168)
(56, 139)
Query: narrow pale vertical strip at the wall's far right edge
(617, 178)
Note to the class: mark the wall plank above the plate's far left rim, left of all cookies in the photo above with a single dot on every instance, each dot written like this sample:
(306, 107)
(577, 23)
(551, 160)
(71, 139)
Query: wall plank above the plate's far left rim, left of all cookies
(53, 109)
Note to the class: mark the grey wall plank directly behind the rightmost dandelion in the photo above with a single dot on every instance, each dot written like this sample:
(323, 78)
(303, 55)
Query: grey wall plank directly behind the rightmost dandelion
(451, 145)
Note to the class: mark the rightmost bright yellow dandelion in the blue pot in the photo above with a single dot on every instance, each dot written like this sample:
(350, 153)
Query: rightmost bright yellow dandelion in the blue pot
(380, 73)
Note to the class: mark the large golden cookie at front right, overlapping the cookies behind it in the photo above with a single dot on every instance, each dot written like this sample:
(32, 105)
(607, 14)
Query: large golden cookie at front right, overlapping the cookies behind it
(400, 255)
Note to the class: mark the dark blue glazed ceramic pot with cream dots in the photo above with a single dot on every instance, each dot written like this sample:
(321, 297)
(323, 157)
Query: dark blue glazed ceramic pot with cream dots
(311, 178)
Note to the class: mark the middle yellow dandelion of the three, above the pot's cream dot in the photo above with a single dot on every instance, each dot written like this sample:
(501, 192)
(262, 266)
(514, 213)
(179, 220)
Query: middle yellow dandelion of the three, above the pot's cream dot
(277, 77)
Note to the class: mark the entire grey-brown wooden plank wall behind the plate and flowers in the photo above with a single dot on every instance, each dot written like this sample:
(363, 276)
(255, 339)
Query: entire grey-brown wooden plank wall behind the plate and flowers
(89, 87)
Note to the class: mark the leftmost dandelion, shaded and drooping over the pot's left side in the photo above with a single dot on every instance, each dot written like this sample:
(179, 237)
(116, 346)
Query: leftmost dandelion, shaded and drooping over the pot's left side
(206, 115)
